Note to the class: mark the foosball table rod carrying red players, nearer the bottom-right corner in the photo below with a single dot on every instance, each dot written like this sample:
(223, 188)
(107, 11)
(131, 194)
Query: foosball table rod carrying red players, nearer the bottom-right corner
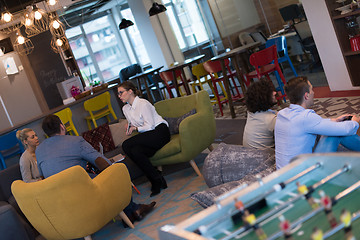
(319, 209)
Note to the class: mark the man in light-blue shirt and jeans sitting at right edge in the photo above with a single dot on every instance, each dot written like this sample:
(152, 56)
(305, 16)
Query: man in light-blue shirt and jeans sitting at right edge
(297, 126)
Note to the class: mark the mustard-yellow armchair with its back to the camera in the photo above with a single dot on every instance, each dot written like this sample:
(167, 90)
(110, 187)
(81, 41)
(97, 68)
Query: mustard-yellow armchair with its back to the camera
(71, 205)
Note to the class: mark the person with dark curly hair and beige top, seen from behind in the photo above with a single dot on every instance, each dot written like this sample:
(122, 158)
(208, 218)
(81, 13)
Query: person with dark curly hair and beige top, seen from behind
(260, 122)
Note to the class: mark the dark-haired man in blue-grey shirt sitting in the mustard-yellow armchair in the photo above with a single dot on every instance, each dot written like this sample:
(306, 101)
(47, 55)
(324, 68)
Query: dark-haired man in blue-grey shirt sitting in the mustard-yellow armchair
(60, 152)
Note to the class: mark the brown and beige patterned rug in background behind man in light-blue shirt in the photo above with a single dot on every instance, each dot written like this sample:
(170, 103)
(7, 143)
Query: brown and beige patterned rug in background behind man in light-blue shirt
(325, 107)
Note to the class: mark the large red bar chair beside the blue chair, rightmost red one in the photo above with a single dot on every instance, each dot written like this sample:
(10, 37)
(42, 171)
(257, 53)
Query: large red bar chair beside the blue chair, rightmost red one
(265, 62)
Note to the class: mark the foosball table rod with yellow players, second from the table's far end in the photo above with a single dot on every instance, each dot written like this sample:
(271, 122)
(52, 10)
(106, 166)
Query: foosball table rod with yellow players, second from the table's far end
(277, 209)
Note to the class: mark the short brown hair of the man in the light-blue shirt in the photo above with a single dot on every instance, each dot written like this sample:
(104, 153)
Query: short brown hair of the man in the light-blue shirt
(296, 88)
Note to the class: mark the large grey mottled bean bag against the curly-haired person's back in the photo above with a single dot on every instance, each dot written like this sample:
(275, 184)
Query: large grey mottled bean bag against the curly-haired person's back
(229, 163)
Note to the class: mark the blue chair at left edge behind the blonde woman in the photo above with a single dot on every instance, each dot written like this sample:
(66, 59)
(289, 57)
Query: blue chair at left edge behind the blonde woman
(9, 146)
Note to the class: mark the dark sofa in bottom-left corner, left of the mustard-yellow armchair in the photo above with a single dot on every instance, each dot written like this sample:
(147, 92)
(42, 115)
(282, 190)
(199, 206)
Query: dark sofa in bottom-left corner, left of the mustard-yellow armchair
(14, 224)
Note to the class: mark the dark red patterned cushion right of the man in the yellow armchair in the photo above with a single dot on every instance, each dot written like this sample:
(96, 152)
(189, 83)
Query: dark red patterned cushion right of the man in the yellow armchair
(101, 135)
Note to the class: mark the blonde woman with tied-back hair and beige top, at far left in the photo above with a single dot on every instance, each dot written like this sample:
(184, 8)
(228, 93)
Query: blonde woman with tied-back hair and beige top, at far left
(28, 164)
